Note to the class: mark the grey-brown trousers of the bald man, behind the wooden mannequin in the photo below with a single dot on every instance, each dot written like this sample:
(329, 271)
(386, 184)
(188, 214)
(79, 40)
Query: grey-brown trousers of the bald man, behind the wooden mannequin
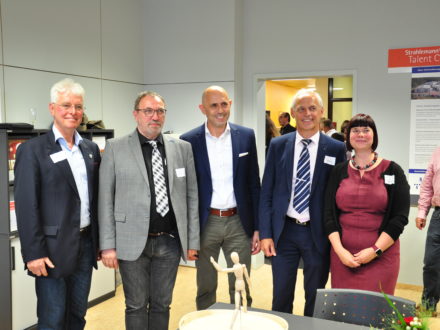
(225, 233)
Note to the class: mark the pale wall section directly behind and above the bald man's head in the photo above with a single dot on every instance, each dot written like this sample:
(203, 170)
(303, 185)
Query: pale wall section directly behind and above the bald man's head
(189, 45)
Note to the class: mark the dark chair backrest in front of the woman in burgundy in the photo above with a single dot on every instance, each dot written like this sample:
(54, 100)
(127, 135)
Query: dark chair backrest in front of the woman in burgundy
(359, 307)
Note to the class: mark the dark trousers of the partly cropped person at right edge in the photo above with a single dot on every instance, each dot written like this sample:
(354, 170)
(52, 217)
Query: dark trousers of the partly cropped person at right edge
(431, 268)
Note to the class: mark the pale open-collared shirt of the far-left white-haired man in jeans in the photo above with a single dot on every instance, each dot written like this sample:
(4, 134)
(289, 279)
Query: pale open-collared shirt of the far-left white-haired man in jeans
(79, 171)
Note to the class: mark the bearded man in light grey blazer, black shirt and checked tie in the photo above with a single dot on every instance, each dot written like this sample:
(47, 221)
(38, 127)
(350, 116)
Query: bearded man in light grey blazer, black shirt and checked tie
(148, 213)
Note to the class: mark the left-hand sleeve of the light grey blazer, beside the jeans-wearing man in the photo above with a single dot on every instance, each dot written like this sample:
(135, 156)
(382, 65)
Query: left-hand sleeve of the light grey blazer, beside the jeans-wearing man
(106, 200)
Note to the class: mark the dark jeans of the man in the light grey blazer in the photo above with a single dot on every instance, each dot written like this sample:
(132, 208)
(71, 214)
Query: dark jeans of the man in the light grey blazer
(148, 284)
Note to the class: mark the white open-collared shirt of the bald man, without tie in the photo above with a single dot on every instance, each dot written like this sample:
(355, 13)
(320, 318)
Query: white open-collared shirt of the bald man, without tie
(220, 163)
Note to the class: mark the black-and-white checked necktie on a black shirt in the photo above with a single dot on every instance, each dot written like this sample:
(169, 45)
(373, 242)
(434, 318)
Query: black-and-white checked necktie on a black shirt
(160, 188)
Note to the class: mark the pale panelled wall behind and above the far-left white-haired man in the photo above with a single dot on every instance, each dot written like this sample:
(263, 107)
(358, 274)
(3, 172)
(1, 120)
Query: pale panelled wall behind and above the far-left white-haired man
(97, 43)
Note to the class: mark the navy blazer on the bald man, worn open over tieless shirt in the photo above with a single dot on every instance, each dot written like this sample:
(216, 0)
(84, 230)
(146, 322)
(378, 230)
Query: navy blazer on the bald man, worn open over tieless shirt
(245, 170)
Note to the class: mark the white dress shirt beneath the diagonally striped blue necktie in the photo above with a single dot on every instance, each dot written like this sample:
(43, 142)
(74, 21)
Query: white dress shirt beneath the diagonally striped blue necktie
(313, 151)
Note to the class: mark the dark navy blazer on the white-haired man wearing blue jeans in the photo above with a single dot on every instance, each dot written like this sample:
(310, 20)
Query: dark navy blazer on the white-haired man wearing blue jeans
(48, 205)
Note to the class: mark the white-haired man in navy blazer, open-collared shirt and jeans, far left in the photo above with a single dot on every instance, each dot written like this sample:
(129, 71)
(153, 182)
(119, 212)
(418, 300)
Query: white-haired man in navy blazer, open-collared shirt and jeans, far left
(56, 191)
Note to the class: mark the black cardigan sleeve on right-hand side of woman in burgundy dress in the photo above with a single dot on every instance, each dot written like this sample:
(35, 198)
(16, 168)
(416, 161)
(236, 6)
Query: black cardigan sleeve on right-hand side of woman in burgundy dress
(400, 204)
